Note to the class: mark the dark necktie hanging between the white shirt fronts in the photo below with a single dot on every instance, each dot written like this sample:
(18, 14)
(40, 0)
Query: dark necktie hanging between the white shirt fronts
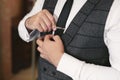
(63, 17)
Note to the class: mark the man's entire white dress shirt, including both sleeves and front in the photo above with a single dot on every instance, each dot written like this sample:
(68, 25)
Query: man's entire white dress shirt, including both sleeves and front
(79, 70)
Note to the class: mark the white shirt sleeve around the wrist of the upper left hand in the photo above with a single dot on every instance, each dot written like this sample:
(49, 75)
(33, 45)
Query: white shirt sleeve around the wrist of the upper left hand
(23, 33)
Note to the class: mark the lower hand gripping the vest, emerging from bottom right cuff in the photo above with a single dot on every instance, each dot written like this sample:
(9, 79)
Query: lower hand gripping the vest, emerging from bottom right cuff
(51, 50)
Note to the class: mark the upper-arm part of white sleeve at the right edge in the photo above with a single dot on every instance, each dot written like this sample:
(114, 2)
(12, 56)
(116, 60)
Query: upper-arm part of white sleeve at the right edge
(112, 35)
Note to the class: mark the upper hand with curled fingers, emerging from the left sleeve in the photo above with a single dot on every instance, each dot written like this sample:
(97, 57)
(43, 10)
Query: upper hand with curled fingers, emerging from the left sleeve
(43, 21)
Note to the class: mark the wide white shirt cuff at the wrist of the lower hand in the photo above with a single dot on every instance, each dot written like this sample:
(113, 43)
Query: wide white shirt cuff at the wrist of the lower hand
(67, 62)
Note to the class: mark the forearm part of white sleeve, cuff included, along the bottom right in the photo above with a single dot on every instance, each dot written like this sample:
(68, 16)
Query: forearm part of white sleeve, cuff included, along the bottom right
(79, 70)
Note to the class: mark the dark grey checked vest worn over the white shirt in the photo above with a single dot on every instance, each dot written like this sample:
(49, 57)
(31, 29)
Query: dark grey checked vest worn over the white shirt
(83, 39)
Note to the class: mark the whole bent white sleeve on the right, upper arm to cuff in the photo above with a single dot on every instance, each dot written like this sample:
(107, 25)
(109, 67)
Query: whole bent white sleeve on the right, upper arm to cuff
(79, 70)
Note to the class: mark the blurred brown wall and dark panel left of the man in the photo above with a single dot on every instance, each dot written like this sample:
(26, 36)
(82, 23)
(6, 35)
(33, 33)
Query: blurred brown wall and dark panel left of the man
(15, 54)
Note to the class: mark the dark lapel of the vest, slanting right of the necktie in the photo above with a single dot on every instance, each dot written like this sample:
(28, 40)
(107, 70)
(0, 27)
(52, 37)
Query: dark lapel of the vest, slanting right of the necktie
(78, 21)
